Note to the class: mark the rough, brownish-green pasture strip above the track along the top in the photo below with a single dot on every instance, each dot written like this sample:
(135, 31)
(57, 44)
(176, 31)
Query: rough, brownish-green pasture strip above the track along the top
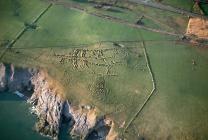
(154, 18)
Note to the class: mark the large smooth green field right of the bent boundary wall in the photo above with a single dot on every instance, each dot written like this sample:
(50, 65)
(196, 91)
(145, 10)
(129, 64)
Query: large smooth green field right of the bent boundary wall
(178, 110)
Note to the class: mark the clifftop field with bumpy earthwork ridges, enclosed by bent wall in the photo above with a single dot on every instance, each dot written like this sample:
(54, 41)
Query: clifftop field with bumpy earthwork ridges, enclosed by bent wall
(102, 74)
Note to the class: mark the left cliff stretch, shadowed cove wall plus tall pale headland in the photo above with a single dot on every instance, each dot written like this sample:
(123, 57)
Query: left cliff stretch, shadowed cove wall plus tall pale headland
(47, 104)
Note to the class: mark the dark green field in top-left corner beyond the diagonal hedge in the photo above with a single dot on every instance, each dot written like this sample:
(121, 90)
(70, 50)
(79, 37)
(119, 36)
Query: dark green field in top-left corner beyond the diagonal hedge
(13, 15)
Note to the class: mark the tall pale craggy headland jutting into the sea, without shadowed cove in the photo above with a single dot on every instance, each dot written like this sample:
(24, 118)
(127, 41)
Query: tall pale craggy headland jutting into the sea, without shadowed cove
(47, 105)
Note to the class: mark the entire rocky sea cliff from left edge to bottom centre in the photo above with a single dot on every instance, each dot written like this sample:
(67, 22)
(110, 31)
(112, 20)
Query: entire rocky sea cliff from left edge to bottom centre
(50, 106)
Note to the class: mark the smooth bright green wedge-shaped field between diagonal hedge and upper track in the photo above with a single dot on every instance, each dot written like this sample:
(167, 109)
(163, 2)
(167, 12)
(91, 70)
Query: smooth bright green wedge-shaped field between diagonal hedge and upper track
(75, 27)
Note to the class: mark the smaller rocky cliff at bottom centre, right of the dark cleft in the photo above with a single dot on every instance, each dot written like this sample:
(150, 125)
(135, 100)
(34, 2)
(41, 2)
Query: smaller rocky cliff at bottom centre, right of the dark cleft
(88, 126)
